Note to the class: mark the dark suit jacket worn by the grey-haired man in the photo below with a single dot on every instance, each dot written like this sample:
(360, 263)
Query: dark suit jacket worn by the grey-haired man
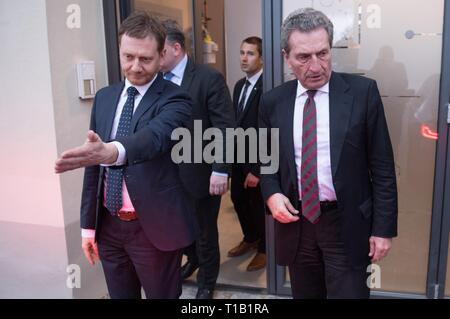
(361, 160)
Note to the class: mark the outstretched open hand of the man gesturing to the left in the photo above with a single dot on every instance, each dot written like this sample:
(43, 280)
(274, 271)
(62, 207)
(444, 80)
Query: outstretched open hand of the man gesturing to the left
(93, 152)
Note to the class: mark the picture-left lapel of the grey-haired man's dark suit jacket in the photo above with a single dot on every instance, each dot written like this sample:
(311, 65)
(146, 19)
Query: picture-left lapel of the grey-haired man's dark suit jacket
(287, 131)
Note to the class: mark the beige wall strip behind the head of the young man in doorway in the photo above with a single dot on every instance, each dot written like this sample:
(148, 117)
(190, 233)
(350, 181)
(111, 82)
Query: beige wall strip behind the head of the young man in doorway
(242, 19)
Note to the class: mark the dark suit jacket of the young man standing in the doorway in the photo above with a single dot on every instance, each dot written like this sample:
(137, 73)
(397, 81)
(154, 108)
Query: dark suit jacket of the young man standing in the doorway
(248, 119)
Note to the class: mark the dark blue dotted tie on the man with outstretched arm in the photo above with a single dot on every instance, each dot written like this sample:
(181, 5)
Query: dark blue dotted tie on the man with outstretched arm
(115, 174)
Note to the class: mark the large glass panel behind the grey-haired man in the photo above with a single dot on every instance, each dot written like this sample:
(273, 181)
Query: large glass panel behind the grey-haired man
(399, 44)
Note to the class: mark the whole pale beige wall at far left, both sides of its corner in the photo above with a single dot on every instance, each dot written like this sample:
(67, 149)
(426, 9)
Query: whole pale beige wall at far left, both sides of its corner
(40, 116)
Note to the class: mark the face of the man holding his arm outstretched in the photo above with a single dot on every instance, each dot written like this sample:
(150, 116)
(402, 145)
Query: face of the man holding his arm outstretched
(139, 59)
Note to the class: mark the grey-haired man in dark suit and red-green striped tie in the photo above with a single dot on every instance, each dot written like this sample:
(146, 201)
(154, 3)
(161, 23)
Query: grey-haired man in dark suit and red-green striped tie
(334, 197)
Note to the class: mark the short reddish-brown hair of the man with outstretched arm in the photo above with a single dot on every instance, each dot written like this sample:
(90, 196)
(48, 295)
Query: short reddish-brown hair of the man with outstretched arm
(140, 25)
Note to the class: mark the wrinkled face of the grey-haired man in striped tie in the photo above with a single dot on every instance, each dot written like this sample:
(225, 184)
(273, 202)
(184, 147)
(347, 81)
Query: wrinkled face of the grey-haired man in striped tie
(310, 58)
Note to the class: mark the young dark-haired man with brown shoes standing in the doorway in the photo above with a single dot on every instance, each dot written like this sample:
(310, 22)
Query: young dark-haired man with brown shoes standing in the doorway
(245, 190)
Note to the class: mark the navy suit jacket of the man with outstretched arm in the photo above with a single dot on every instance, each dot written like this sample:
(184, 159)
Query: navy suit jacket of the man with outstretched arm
(164, 209)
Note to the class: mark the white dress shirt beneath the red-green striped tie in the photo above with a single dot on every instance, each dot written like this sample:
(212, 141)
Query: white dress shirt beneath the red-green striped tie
(324, 174)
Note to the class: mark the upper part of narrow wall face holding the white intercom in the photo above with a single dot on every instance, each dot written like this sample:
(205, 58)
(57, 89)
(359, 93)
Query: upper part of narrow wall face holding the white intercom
(68, 47)
